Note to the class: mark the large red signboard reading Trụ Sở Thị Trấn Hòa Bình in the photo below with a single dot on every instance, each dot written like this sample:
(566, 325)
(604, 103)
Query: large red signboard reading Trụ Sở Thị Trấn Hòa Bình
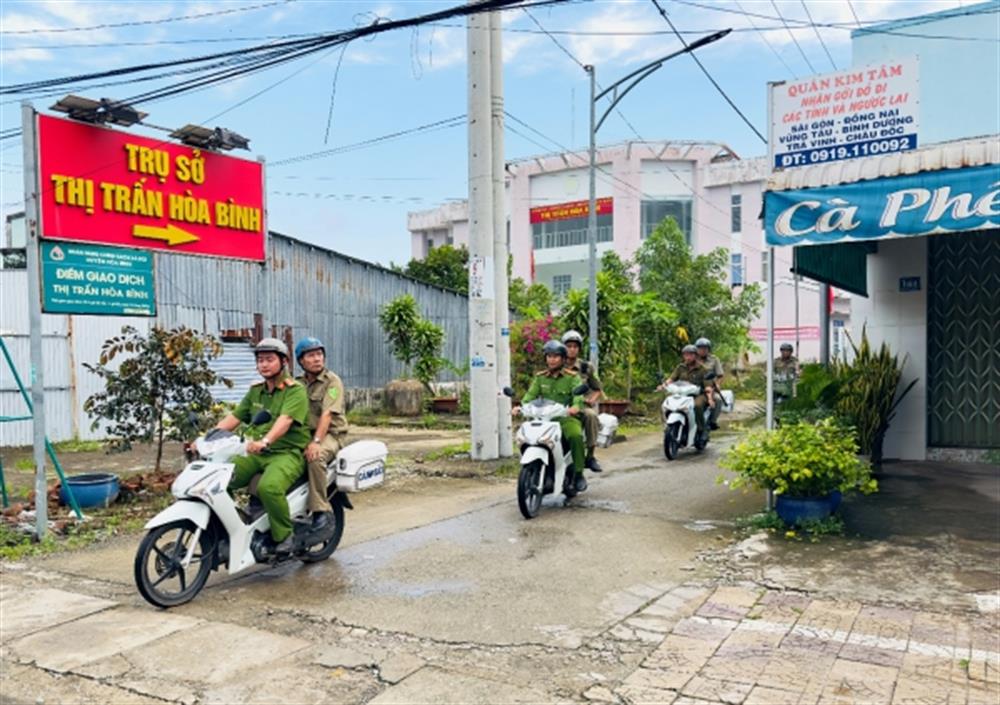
(114, 188)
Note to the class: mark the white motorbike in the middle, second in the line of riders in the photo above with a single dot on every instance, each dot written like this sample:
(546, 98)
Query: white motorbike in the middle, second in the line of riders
(546, 458)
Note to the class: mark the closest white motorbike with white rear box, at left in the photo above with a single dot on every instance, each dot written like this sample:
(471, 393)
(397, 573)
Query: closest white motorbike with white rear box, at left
(205, 529)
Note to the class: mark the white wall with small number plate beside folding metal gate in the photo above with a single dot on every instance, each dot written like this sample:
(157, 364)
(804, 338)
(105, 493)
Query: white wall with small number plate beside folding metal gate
(899, 319)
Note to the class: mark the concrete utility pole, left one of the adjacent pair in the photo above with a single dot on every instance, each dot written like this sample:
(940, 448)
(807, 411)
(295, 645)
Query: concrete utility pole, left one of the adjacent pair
(482, 273)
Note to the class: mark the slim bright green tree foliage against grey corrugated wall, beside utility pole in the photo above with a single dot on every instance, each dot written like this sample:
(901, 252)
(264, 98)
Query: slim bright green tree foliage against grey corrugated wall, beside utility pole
(415, 341)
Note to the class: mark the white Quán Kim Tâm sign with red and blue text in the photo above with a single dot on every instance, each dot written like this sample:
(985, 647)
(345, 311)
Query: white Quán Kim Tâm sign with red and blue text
(860, 112)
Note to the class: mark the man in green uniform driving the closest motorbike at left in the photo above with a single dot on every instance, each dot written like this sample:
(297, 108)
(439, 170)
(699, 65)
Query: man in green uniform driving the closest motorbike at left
(276, 447)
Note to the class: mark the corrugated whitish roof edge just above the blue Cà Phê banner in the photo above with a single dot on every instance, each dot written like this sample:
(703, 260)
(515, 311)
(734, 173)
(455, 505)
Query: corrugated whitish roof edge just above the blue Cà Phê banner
(975, 151)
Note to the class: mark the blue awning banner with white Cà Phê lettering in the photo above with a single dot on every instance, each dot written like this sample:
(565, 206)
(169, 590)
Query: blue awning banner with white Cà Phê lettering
(943, 201)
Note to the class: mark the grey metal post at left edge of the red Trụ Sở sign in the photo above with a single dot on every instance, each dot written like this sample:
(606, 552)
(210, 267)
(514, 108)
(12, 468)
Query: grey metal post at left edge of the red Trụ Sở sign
(32, 213)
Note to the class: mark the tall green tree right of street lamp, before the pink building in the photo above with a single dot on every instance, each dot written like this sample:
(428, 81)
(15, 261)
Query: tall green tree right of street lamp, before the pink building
(695, 286)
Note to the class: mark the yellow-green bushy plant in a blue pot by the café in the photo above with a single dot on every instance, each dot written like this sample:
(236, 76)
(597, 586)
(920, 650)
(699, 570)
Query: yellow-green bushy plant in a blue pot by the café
(809, 467)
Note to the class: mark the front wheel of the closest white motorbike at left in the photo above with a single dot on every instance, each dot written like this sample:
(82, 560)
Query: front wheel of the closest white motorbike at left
(160, 574)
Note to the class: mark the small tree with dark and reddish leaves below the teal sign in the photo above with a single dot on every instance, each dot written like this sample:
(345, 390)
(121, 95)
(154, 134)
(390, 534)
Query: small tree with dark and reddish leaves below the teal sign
(152, 393)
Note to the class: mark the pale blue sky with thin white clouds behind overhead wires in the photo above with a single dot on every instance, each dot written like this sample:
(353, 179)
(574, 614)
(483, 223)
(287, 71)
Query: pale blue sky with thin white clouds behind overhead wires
(356, 201)
